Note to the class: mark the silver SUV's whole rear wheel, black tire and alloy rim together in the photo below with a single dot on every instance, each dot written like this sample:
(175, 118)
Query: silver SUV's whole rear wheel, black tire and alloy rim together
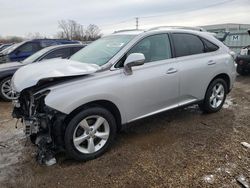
(209, 106)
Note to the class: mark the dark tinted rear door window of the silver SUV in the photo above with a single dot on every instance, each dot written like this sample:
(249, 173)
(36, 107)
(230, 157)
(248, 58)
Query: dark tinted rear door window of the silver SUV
(187, 44)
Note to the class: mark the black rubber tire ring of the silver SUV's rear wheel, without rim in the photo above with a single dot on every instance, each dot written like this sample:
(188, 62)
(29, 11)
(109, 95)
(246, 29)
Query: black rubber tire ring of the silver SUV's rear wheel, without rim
(207, 106)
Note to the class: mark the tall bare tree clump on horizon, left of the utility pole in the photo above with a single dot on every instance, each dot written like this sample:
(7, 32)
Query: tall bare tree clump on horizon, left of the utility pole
(74, 31)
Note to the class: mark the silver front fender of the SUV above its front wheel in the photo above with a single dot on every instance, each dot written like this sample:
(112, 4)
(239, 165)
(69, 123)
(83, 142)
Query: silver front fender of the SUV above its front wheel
(73, 95)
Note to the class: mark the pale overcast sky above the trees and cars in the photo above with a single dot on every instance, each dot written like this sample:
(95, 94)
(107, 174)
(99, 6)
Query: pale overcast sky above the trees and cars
(20, 17)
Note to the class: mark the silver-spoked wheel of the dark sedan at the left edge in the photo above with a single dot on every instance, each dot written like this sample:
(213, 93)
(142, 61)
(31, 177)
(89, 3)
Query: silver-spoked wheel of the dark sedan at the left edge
(6, 92)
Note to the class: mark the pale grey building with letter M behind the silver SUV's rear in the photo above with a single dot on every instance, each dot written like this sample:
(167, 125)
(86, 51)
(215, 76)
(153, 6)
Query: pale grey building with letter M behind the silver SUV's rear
(238, 34)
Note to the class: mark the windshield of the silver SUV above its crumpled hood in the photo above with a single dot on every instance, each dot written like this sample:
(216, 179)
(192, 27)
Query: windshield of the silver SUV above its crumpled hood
(102, 50)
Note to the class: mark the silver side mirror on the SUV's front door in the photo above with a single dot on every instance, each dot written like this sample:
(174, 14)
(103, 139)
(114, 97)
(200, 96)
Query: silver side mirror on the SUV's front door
(134, 59)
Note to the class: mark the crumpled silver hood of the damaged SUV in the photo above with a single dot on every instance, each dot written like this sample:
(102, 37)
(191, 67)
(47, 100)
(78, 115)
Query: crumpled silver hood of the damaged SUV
(30, 75)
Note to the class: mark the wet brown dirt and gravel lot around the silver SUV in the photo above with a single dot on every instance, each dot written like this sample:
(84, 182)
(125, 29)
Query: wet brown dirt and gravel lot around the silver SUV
(181, 148)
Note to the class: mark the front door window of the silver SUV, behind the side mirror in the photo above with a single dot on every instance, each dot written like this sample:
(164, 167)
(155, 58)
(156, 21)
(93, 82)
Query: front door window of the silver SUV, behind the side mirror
(155, 48)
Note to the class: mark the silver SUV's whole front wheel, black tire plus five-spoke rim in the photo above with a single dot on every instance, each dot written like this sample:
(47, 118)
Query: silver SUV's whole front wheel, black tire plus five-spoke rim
(90, 134)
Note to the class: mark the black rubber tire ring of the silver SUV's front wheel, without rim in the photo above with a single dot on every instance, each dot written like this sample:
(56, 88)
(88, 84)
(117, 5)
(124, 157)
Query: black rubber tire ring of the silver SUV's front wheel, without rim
(68, 138)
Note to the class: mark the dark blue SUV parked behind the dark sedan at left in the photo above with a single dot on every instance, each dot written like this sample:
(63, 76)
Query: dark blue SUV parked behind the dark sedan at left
(24, 49)
